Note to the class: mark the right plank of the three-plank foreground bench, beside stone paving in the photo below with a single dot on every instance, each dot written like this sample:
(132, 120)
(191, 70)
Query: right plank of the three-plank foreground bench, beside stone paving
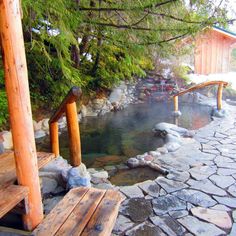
(103, 220)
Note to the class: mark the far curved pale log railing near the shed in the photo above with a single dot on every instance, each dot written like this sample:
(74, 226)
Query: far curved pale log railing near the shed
(220, 84)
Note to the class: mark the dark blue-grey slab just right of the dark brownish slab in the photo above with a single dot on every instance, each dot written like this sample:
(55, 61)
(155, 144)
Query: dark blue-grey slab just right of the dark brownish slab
(163, 205)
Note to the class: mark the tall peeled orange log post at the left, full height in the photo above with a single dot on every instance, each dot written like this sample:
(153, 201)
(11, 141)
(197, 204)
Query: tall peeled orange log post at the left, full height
(17, 88)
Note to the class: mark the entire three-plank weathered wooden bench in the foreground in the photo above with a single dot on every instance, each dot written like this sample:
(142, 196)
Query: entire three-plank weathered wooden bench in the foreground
(83, 211)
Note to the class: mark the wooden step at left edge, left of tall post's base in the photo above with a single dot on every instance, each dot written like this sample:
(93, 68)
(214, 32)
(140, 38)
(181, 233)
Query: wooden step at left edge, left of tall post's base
(10, 196)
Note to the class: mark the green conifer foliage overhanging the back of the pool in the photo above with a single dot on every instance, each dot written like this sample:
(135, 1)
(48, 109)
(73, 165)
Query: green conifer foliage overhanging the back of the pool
(96, 43)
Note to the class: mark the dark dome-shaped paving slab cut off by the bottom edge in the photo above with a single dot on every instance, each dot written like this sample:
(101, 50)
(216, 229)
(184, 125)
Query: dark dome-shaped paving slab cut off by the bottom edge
(145, 229)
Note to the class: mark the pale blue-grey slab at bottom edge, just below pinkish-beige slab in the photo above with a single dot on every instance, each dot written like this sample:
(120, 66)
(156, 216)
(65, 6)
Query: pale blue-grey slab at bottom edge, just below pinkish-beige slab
(200, 228)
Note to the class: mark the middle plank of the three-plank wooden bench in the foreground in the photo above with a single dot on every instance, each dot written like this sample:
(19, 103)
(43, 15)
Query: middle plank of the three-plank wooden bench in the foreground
(82, 213)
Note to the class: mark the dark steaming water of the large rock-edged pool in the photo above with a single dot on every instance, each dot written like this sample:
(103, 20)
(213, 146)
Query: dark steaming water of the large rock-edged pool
(112, 138)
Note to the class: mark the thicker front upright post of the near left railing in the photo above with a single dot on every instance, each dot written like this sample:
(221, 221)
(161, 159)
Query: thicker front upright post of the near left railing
(74, 133)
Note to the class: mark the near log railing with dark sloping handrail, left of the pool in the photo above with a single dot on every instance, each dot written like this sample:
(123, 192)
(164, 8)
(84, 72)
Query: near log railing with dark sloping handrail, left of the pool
(67, 106)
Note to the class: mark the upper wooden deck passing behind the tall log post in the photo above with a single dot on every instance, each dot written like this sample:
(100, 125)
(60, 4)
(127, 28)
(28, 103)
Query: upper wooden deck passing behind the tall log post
(7, 165)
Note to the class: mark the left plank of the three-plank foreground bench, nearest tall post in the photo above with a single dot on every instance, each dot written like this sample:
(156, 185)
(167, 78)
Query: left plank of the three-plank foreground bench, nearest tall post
(52, 223)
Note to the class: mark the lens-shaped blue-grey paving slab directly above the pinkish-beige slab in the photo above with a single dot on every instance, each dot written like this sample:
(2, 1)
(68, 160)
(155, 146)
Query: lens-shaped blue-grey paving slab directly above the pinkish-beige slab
(195, 197)
